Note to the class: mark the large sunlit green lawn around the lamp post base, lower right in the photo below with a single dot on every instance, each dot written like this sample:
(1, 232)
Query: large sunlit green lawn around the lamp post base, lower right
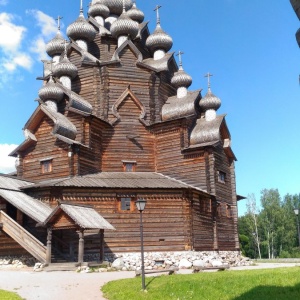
(271, 284)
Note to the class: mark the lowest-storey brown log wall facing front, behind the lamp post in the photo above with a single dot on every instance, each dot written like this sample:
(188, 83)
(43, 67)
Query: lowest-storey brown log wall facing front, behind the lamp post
(166, 220)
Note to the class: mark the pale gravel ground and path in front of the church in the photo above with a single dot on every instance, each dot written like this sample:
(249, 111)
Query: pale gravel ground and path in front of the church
(61, 285)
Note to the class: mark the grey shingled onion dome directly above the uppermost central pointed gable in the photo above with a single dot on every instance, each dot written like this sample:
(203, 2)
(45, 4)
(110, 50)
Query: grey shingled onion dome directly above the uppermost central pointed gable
(124, 26)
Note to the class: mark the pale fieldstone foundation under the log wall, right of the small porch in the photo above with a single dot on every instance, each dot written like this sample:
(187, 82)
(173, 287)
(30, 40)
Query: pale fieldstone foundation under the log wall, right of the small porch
(181, 260)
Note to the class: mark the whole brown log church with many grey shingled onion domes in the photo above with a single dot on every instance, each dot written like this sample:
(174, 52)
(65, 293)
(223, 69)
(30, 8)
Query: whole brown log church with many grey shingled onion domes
(115, 123)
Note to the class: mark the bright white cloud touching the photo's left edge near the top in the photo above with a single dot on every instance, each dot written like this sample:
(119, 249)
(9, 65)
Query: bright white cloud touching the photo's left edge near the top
(11, 35)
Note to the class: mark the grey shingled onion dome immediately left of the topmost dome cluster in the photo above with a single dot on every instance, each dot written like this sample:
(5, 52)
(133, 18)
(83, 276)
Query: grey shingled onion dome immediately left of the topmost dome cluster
(81, 29)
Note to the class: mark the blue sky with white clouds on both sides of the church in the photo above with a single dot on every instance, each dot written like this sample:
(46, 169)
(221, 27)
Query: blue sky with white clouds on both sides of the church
(249, 47)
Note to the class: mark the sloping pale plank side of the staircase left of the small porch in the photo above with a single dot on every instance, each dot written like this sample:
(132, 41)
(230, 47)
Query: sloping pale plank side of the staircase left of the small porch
(23, 237)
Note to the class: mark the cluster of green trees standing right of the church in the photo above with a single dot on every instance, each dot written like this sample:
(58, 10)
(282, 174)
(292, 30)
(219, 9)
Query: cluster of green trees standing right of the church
(272, 231)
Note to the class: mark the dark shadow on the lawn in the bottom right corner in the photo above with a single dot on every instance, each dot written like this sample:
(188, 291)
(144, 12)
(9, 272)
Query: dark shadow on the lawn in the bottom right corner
(272, 293)
